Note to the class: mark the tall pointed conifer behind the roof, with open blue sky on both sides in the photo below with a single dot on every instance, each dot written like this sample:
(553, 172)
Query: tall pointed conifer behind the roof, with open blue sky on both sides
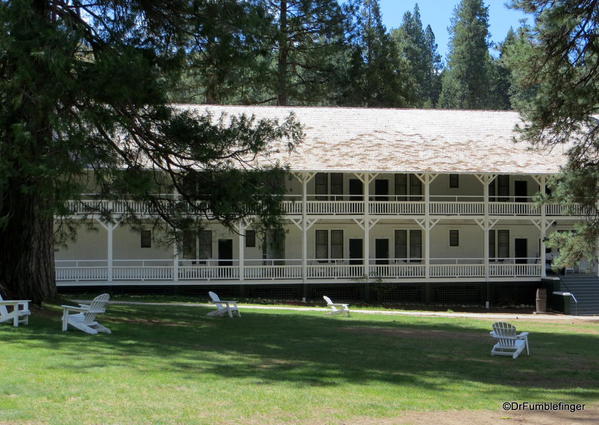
(466, 82)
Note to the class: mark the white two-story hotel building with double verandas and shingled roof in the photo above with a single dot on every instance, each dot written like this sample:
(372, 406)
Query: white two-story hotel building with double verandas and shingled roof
(415, 199)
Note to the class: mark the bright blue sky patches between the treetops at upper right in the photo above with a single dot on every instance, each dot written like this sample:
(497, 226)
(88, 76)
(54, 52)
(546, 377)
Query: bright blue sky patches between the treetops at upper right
(437, 14)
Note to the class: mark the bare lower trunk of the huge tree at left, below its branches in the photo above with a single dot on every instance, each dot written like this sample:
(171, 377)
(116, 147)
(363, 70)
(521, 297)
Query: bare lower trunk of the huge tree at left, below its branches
(26, 247)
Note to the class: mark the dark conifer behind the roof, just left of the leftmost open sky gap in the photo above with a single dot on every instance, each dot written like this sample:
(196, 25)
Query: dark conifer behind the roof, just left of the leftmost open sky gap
(376, 74)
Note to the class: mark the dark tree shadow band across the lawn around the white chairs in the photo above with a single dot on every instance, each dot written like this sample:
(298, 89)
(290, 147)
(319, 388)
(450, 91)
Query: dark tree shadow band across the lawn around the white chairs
(315, 350)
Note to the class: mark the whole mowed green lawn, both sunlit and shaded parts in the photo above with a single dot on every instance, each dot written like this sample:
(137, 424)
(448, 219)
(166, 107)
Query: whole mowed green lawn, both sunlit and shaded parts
(174, 365)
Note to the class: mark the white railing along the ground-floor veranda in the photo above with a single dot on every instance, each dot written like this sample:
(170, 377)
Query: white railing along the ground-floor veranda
(292, 269)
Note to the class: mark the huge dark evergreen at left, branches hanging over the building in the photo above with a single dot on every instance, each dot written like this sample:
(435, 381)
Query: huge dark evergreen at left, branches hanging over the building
(83, 87)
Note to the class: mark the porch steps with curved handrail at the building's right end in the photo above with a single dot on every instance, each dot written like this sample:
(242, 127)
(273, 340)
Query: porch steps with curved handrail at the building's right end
(585, 288)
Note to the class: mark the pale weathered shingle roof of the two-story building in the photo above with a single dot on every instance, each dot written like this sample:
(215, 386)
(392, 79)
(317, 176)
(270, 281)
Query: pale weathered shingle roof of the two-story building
(403, 140)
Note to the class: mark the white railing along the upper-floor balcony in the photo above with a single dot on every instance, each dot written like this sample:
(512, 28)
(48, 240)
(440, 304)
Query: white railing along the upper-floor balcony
(440, 205)
